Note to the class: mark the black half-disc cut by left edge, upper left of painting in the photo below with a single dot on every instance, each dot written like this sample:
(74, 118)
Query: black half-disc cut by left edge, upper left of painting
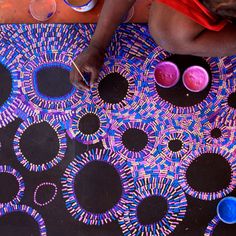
(6, 84)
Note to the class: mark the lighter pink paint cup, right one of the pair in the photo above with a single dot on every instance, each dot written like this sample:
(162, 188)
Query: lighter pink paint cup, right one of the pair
(195, 79)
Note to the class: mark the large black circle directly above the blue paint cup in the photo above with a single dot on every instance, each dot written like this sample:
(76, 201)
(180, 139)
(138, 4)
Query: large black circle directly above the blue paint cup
(209, 173)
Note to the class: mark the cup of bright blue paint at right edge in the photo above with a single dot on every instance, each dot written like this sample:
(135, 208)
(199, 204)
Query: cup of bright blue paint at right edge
(226, 210)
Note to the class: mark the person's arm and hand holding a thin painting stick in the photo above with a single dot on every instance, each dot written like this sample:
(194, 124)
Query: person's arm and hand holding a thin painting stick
(92, 58)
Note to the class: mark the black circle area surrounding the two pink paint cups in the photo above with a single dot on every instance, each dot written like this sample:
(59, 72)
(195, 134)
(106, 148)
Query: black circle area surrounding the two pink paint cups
(179, 95)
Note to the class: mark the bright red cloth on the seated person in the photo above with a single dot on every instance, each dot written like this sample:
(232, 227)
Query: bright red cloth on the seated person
(197, 12)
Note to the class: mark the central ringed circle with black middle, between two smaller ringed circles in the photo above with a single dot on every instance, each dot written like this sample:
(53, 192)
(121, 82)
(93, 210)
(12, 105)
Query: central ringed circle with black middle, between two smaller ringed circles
(132, 139)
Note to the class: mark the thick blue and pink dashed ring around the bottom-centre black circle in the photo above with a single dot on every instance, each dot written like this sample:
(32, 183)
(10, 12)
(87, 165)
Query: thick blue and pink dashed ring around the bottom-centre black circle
(166, 188)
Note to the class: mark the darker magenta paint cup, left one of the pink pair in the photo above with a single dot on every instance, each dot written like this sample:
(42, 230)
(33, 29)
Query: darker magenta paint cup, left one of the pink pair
(166, 74)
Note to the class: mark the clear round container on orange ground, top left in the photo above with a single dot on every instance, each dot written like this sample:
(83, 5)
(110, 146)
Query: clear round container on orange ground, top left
(42, 10)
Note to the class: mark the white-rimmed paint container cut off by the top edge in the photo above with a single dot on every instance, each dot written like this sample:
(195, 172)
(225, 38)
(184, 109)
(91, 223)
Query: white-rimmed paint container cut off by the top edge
(81, 6)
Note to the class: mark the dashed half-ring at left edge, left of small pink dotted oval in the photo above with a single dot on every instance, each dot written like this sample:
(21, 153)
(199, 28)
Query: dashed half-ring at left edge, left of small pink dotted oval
(19, 178)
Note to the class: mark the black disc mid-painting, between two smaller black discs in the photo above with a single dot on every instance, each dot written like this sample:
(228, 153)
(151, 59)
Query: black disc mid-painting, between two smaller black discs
(135, 140)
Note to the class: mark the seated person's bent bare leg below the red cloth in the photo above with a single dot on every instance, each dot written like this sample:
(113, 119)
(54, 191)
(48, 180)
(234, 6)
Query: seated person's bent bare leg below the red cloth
(178, 34)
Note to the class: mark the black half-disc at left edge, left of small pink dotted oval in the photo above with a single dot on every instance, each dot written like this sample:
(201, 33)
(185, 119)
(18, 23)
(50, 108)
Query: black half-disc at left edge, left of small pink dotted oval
(9, 187)
